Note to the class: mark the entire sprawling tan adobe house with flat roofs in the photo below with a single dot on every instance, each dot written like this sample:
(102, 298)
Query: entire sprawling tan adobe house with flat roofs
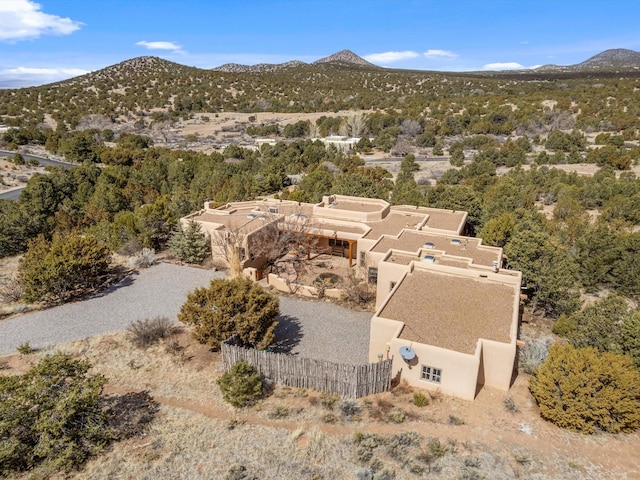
(447, 313)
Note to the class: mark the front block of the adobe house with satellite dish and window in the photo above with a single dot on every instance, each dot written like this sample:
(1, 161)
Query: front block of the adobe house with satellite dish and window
(447, 326)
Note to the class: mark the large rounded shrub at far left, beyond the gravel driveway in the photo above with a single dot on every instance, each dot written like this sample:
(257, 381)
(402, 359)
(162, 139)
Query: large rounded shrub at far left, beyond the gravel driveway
(66, 267)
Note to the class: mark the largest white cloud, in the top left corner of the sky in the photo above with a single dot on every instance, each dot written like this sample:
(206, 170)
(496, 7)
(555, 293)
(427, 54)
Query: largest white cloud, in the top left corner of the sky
(23, 19)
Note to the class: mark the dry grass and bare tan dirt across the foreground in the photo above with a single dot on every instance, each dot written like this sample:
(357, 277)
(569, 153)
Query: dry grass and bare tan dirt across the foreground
(196, 435)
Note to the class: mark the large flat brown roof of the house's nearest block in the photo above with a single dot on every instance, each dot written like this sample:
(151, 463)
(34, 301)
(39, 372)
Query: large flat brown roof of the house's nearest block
(450, 311)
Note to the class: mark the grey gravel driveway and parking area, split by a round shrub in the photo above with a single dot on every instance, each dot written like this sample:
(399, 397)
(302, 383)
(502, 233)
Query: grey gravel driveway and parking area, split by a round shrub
(308, 328)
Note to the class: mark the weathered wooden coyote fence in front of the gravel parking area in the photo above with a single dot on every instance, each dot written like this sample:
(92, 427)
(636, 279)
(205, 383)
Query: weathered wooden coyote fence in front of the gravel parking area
(350, 381)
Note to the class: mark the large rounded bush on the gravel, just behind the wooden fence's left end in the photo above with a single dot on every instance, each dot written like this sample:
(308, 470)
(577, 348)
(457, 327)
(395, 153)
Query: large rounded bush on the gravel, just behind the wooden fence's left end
(231, 307)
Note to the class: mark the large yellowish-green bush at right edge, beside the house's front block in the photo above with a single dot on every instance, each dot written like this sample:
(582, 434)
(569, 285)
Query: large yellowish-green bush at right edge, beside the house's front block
(583, 390)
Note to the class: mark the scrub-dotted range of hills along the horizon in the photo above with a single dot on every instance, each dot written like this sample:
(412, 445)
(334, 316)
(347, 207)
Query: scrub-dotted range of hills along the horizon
(152, 90)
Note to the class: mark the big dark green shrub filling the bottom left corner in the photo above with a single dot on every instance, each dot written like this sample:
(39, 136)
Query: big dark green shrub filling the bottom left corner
(51, 416)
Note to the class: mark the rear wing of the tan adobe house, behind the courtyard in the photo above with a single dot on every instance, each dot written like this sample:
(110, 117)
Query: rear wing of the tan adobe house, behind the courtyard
(341, 225)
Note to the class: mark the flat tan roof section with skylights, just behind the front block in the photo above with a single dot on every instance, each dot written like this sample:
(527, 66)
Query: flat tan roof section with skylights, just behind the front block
(467, 247)
